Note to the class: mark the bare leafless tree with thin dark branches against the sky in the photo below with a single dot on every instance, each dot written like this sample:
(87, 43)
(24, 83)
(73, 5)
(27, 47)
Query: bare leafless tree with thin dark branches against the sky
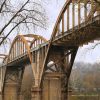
(20, 14)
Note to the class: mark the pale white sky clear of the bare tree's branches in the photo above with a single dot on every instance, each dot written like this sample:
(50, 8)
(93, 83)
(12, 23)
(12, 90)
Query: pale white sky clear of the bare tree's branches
(53, 8)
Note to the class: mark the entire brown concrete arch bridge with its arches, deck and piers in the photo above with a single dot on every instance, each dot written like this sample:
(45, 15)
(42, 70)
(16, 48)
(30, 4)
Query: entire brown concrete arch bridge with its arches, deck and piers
(37, 69)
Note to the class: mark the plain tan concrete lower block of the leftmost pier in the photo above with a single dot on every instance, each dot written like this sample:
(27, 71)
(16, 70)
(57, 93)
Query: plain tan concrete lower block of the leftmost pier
(10, 91)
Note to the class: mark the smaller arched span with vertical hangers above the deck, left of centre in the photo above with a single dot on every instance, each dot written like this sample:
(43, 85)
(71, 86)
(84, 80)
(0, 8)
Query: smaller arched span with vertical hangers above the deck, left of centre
(22, 45)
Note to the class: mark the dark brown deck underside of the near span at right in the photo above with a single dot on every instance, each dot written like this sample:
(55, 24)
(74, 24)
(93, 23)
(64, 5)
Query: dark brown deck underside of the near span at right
(80, 35)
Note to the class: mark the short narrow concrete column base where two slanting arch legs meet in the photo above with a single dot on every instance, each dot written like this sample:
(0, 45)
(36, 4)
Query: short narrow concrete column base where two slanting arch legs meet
(36, 93)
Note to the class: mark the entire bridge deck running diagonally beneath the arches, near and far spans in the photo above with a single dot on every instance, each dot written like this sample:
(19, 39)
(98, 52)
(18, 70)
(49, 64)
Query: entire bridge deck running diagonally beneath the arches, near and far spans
(78, 36)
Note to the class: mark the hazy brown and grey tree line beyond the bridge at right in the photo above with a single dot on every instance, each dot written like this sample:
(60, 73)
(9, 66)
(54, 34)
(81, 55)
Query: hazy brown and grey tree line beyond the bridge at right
(85, 77)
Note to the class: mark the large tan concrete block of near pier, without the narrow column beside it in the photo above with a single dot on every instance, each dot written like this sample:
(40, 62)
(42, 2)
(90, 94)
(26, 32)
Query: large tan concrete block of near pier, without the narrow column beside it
(52, 88)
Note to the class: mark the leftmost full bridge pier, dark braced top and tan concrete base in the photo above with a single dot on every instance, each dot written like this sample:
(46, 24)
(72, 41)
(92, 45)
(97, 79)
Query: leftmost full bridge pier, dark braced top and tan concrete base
(12, 85)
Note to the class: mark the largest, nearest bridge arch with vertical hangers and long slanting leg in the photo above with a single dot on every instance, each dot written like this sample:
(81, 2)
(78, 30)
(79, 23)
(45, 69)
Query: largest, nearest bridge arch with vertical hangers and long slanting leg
(66, 21)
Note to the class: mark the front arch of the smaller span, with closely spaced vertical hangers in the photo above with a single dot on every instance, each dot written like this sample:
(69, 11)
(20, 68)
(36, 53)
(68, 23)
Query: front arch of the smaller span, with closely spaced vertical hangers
(18, 47)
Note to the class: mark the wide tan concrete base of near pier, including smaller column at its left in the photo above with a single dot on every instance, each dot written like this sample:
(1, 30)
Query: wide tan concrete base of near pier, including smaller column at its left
(52, 88)
